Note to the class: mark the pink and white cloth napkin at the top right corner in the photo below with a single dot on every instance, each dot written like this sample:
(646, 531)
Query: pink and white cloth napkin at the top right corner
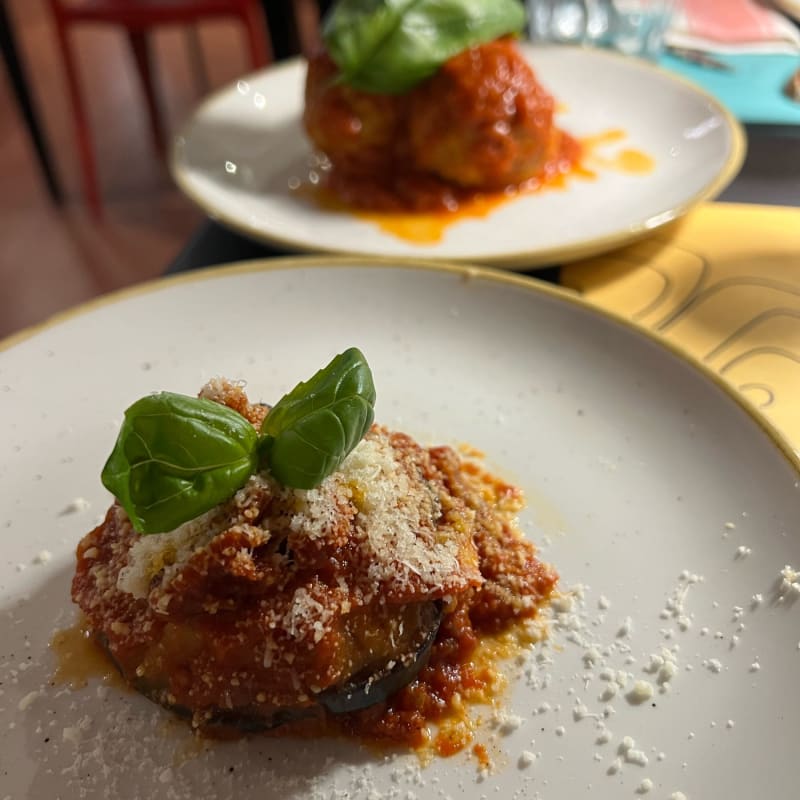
(732, 26)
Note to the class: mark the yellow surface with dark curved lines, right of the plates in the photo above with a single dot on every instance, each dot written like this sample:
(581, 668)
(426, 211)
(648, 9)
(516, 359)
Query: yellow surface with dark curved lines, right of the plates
(722, 284)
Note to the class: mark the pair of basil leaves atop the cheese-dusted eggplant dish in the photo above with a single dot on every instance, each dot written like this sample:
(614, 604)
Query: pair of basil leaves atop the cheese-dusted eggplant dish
(177, 456)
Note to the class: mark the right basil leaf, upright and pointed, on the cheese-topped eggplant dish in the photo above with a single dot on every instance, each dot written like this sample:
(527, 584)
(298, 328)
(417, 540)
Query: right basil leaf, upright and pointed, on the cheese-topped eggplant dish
(313, 428)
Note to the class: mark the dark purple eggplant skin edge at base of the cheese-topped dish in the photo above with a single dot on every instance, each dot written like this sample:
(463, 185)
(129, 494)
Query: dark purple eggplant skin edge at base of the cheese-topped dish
(358, 692)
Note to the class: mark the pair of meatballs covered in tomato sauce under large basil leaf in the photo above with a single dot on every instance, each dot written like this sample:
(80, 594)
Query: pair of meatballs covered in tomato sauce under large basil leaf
(481, 123)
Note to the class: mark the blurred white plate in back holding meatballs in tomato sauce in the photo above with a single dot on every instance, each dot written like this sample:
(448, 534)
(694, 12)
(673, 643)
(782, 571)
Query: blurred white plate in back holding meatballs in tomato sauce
(238, 153)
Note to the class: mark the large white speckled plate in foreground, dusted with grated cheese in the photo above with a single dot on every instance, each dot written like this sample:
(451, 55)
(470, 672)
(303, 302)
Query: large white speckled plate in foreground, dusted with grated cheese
(634, 461)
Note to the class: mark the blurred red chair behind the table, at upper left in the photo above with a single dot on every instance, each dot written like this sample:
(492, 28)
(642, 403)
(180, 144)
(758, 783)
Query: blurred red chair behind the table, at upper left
(137, 17)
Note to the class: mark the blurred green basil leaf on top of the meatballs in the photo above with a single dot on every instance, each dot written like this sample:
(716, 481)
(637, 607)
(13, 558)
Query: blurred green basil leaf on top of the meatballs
(389, 46)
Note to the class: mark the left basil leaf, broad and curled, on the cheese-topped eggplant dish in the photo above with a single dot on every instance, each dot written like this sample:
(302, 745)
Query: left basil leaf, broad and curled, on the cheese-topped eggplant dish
(176, 457)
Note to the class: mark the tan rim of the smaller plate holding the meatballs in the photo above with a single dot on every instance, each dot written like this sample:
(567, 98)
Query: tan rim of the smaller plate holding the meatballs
(517, 260)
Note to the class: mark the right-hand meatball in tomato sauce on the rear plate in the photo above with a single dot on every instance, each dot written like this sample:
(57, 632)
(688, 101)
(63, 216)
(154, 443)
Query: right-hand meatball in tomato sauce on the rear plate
(482, 121)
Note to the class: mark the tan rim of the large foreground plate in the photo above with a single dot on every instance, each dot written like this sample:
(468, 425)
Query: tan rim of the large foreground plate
(467, 272)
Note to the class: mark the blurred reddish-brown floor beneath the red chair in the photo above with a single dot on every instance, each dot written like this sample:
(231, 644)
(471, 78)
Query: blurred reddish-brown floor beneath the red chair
(52, 258)
